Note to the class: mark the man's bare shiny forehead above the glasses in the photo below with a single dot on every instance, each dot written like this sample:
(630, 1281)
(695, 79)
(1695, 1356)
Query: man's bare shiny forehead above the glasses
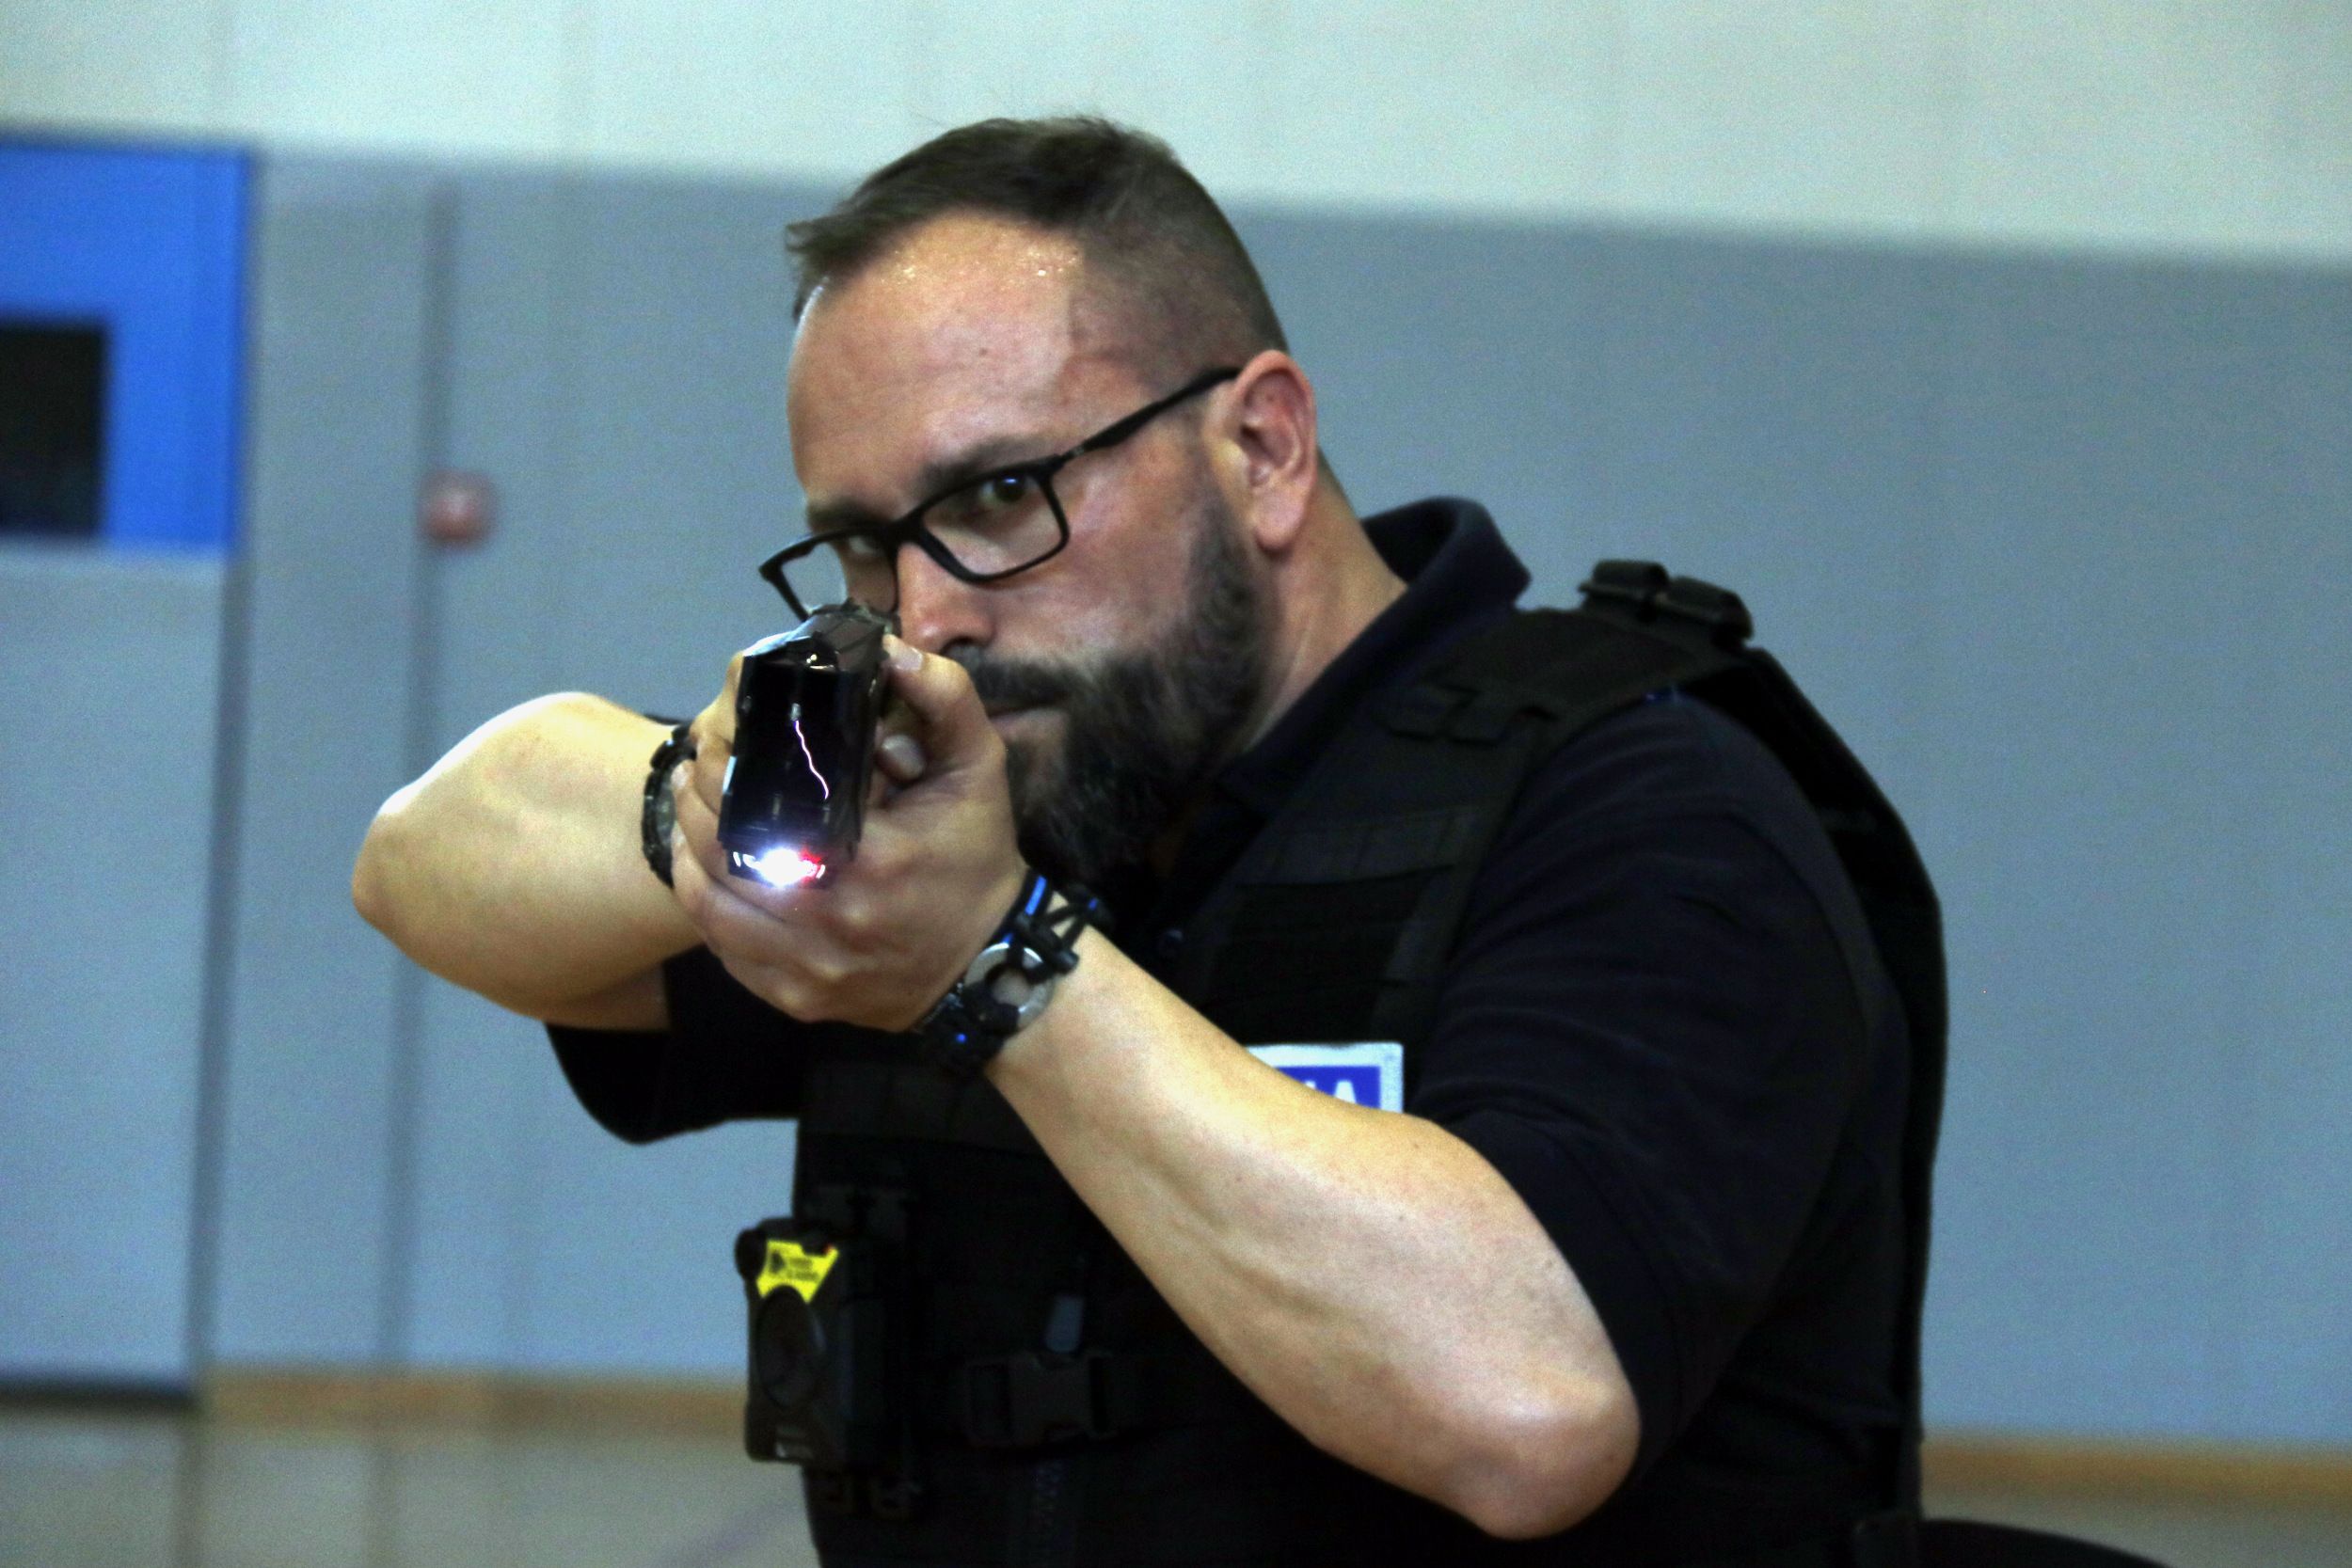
(963, 333)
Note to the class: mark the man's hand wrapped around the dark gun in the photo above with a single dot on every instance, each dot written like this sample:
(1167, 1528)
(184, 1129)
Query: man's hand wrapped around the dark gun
(933, 878)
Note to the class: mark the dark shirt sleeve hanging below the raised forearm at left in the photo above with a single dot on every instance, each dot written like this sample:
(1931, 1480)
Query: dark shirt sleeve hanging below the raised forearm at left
(726, 1057)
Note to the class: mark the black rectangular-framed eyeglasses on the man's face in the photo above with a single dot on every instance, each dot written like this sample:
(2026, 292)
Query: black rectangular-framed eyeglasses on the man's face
(980, 530)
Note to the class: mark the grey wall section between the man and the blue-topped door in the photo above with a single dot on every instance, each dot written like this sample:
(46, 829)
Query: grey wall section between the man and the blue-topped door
(406, 1177)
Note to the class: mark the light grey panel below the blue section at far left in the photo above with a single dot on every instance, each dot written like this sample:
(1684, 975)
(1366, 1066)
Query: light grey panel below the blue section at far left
(107, 836)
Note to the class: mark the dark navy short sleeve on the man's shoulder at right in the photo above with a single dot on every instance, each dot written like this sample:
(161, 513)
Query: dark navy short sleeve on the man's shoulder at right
(1652, 1033)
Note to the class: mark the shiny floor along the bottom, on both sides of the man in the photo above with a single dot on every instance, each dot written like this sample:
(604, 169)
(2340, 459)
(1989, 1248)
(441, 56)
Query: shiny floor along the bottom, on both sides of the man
(123, 1489)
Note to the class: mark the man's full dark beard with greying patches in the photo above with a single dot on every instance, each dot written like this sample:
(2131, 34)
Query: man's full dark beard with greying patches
(1144, 730)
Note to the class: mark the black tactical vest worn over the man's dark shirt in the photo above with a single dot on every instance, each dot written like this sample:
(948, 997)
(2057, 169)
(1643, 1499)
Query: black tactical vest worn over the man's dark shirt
(1053, 1407)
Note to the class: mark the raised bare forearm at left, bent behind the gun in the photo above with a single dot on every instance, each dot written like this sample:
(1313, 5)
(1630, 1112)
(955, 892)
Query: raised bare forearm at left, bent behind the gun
(514, 866)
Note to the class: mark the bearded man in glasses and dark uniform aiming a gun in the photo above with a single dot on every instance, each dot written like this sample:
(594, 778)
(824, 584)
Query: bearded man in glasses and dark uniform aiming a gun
(1624, 1275)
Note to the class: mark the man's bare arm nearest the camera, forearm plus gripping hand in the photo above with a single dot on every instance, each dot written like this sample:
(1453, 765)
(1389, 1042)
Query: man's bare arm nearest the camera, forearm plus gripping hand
(1365, 1273)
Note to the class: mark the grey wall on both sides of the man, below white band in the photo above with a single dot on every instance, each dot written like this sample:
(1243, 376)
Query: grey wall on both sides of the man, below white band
(2057, 542)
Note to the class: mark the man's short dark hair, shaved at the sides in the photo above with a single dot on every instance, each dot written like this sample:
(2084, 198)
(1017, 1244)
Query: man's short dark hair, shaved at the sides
(1137, 215)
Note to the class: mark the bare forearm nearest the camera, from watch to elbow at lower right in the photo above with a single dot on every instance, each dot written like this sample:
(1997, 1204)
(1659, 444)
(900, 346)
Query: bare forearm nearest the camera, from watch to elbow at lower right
(1365, 1273)
